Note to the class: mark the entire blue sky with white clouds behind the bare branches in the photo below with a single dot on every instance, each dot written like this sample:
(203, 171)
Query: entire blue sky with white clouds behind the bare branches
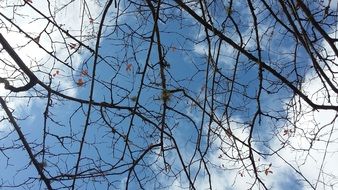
(125, 57)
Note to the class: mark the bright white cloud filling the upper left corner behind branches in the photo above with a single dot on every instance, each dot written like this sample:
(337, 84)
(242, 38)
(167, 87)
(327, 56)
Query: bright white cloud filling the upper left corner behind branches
(72, 17)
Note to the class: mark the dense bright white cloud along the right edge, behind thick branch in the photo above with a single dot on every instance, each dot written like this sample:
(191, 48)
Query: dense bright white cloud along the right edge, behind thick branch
(312, 148)
